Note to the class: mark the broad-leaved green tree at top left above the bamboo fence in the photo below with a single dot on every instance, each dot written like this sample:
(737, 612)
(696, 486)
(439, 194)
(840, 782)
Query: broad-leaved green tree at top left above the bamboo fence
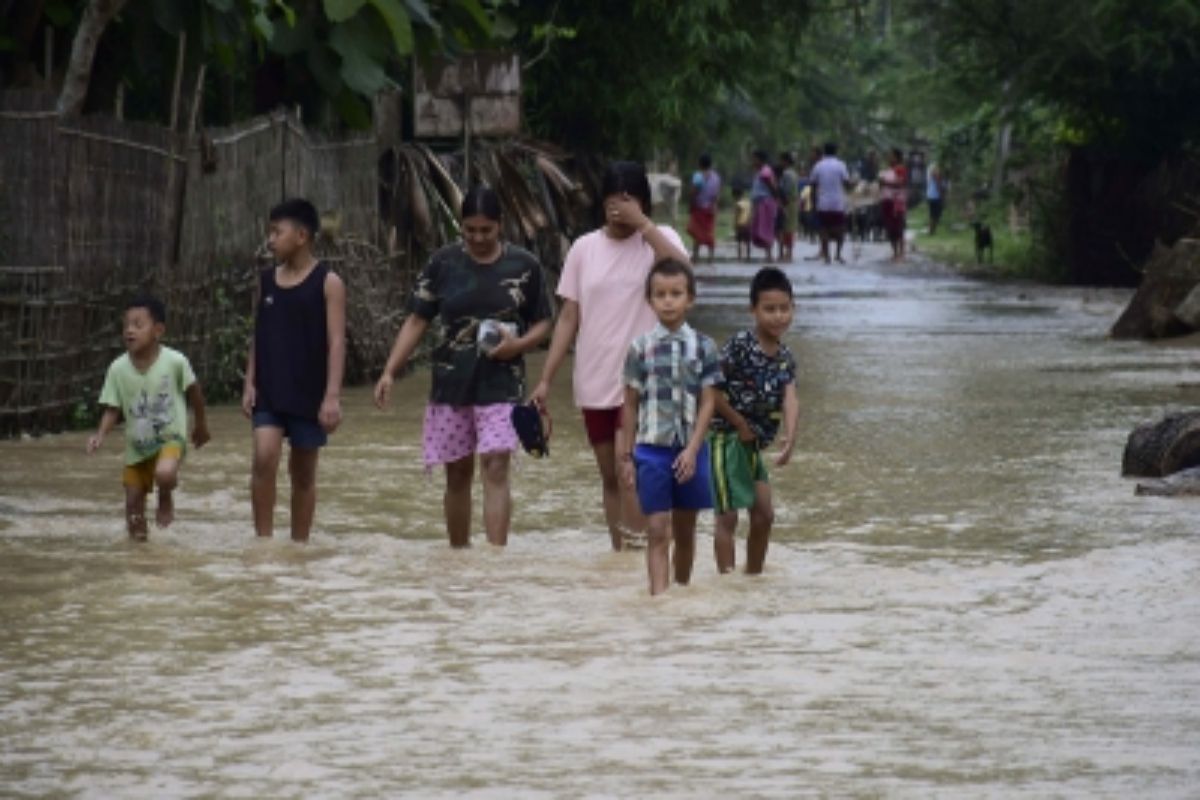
(322, 55)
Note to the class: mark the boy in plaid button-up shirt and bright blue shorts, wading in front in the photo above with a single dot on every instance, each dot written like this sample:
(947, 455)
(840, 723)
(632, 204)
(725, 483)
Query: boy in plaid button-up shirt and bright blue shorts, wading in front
(671, 375)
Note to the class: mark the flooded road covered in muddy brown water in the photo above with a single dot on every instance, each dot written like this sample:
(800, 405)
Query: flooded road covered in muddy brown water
(963, 598)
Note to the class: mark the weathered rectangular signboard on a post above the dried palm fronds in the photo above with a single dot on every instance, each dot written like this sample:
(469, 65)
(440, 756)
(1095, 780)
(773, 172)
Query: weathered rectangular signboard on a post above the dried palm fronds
(483, 88)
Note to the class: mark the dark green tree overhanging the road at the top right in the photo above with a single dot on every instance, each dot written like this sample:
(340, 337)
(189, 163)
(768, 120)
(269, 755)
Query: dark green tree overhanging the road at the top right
(1105, 89)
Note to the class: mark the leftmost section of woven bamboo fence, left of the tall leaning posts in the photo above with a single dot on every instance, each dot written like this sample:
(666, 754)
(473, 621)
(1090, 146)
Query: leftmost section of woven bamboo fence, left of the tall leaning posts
(92, 222)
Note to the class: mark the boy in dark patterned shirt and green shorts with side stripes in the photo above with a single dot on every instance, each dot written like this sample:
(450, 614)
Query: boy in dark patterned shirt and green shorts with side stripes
(760, 387)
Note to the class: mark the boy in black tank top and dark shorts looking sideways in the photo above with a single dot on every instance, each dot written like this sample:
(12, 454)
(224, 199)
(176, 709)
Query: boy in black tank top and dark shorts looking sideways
(295, 372)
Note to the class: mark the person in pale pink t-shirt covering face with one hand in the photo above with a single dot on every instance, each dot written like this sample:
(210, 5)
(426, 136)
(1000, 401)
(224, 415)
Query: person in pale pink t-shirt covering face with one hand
(604, 309)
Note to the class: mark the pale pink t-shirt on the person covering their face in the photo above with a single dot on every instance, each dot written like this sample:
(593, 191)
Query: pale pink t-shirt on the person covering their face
(608, 279)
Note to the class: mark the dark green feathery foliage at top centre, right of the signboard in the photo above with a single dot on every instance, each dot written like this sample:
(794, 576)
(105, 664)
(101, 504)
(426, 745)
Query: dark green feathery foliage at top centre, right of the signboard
(632, 74)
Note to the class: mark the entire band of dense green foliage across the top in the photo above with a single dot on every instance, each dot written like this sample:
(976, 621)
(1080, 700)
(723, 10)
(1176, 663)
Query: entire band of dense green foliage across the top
(1063, 106)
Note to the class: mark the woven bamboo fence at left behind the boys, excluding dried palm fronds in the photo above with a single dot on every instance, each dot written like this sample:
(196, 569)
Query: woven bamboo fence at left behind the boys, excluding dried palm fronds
(99, 209)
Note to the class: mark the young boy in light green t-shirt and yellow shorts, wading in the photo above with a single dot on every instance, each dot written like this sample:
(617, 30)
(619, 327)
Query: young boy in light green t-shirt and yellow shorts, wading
(148, 387)
